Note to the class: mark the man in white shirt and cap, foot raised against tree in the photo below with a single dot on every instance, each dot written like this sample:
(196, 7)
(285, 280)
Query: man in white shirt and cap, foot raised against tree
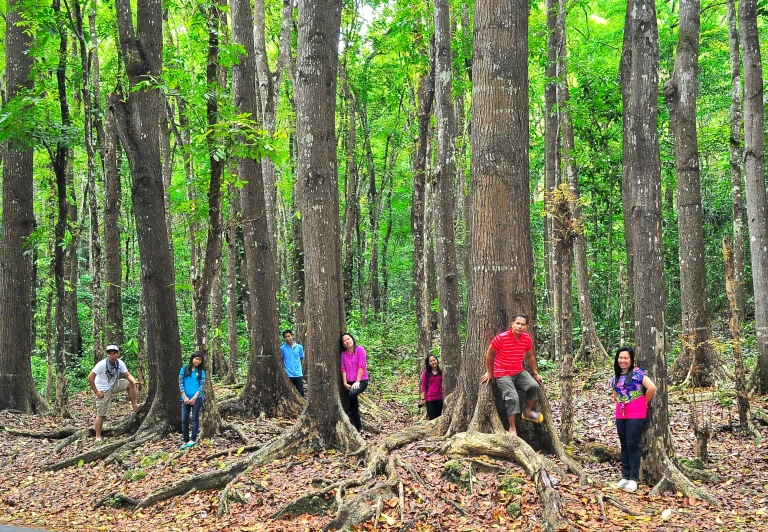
(108, 377)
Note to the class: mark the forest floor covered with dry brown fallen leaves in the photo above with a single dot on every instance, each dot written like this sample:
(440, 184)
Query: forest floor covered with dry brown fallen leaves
(467, 495)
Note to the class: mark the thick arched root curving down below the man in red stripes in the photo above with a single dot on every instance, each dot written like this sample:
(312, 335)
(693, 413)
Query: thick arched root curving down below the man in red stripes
(511, 448)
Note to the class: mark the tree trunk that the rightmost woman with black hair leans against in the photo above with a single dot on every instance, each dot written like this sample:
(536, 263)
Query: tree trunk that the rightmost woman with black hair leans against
(639, 72)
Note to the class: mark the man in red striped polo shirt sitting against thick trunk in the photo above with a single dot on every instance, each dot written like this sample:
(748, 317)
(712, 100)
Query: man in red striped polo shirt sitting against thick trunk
(504, 362)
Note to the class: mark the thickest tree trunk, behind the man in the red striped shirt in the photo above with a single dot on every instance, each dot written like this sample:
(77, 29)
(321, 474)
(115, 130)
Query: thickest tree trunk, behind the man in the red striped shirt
(500, 274)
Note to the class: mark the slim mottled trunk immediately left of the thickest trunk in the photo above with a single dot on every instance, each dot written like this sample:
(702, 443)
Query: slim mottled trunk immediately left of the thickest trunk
(445, 174)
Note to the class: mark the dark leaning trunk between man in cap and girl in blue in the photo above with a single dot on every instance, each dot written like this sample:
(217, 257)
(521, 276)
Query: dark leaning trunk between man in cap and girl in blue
(136, 116)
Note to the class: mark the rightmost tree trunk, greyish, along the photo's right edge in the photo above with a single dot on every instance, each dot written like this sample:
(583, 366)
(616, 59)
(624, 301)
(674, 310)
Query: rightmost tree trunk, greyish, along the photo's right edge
(754, 177)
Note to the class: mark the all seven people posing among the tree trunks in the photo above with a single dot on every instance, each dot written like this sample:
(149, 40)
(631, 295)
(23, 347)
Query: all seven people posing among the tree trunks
(519, 388)
